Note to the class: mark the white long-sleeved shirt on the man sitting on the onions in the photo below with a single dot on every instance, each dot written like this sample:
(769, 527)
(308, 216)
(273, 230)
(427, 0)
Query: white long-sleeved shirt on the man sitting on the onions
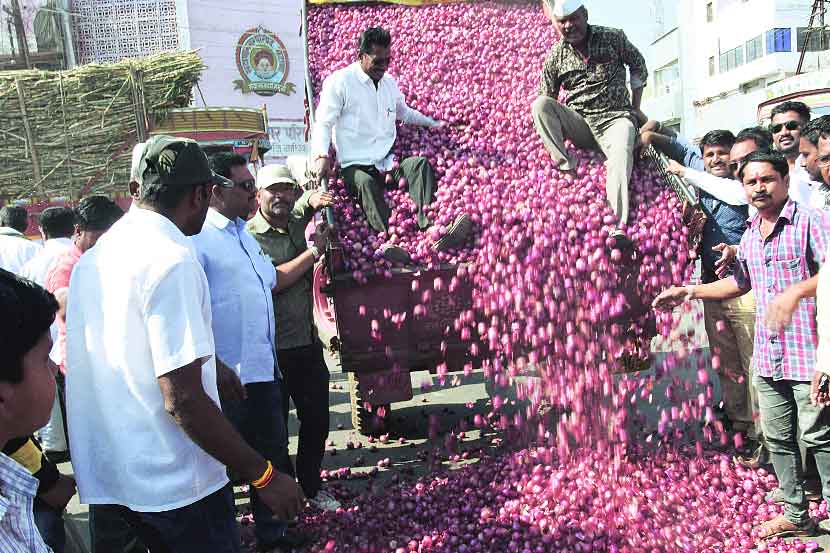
(362, 118)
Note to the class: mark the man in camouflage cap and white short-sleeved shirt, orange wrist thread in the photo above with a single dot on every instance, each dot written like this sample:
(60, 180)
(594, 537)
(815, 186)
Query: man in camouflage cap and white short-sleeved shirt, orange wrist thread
(156, 445)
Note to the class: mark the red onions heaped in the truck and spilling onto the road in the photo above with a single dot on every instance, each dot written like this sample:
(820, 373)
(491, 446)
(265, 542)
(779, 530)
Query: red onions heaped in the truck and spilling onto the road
(550, 295)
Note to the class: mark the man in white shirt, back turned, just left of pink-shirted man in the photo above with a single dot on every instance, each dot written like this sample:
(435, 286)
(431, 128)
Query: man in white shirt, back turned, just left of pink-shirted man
(56, 227)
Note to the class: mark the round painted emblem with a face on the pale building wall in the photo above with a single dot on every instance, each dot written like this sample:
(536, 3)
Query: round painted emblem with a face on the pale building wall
(262, 60)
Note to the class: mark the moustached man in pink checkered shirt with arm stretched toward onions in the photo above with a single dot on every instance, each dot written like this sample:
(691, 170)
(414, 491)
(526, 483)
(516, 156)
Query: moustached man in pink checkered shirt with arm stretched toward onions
(780, 253)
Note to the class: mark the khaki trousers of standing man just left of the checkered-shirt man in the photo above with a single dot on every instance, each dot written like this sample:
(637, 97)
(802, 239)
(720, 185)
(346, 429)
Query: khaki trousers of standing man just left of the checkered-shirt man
(733, 344)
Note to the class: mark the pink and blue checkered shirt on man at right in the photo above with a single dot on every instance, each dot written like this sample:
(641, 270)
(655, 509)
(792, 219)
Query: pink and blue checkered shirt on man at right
(790, 254)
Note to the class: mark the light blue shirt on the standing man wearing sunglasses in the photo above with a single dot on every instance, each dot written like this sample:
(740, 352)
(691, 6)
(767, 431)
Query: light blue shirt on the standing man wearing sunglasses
(240, 277)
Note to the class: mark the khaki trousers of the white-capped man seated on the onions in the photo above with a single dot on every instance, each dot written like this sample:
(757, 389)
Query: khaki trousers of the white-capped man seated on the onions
(555, 122)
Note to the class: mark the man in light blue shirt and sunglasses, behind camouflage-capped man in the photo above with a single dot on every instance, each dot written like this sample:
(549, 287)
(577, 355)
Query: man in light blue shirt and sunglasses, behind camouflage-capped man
(240, 277)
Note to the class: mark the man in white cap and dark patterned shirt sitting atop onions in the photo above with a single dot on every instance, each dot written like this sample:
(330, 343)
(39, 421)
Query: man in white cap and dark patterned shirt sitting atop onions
(589, 63)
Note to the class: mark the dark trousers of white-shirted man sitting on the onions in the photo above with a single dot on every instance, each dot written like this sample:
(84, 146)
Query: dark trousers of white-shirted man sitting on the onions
(365, 183)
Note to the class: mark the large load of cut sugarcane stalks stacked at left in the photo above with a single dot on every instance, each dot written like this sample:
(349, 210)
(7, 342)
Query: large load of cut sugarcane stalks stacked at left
(65, 133)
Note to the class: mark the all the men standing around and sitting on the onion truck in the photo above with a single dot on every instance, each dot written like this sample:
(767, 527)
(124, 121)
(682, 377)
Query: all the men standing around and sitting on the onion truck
(180, 330)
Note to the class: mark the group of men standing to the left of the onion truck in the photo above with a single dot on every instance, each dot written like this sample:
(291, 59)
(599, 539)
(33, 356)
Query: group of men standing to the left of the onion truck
(192, 311)
